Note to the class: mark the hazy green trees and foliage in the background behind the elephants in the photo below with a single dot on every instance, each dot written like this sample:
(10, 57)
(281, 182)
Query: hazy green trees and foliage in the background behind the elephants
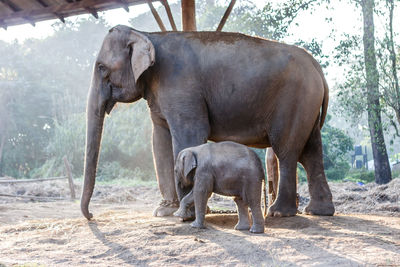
(44, 83)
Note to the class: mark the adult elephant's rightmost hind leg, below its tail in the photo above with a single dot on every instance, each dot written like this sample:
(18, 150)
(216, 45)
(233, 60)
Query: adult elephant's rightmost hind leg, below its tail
(311, 159)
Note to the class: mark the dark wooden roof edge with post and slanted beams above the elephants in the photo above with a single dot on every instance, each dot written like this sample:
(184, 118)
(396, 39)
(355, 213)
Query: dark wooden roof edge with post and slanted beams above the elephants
(15, 12)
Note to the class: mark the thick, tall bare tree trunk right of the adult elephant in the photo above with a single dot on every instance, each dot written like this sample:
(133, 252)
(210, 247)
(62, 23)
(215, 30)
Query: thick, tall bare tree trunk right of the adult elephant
(381, 161)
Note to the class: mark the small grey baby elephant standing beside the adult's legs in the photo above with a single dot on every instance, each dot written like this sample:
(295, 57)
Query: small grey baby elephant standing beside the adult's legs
(225, 168)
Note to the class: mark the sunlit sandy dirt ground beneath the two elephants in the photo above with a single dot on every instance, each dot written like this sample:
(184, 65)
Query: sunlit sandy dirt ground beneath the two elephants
(124, 232)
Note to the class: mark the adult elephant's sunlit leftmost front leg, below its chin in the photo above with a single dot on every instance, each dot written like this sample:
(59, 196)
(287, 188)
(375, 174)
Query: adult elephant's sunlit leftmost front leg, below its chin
(164, 164)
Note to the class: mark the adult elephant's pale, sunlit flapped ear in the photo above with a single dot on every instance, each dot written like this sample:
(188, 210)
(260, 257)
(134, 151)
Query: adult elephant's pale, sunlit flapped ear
(143, 54)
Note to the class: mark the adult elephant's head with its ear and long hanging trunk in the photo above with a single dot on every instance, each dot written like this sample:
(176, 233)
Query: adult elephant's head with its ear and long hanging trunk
(125, 54)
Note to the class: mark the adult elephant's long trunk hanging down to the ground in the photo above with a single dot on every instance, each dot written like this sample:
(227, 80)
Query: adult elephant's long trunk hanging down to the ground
(95, 119)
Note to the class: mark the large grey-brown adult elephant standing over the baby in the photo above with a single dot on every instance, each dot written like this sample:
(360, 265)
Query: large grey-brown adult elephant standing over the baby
(215, 86)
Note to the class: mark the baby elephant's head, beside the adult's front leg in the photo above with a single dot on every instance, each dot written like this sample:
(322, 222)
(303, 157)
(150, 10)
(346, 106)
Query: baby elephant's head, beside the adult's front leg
(185, 166)
